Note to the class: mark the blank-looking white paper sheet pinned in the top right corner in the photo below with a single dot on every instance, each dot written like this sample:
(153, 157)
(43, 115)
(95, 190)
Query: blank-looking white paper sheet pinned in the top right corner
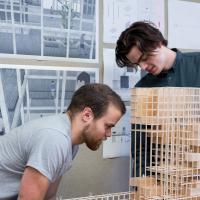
(183, 28)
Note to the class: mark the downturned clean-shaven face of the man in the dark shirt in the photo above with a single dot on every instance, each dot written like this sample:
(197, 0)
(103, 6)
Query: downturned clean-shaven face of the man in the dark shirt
(153, 63)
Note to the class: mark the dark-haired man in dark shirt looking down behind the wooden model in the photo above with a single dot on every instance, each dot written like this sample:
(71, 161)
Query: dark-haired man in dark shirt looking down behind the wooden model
(143, 45)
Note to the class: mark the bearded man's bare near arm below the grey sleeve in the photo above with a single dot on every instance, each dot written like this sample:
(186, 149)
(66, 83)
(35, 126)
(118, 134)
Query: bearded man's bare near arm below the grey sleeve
(34, 185)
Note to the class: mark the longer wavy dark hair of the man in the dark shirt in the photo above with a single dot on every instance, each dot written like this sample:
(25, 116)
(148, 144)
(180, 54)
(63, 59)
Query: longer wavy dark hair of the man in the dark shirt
(143, 35)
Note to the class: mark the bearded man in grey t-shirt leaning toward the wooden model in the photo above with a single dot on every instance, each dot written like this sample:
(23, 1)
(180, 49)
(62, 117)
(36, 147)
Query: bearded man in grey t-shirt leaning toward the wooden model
(35, 155)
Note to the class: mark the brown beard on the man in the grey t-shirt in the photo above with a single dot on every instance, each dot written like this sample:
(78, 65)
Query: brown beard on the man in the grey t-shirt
(90, 141)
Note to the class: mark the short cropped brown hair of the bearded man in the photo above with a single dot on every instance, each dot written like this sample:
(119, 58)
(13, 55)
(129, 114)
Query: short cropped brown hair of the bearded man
(96, 96)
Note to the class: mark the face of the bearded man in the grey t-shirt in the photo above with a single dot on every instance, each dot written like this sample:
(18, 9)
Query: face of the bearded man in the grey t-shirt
(99, 129)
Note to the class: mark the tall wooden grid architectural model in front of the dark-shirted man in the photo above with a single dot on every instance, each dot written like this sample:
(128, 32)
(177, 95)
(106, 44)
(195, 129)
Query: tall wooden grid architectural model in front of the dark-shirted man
(165, 143)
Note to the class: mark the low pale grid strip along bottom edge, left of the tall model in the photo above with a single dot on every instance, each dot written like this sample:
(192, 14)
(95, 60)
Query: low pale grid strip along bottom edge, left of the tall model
(113, 196)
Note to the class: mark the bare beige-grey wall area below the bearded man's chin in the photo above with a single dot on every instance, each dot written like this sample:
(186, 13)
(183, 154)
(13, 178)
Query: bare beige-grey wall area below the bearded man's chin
(92, 175)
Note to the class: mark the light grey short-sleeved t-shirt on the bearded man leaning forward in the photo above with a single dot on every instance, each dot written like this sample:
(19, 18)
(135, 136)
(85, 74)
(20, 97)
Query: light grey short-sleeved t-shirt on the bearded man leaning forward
(44, 144)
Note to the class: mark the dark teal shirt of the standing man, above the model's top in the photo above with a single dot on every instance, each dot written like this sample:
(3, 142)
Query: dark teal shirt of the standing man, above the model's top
(185, 72)
